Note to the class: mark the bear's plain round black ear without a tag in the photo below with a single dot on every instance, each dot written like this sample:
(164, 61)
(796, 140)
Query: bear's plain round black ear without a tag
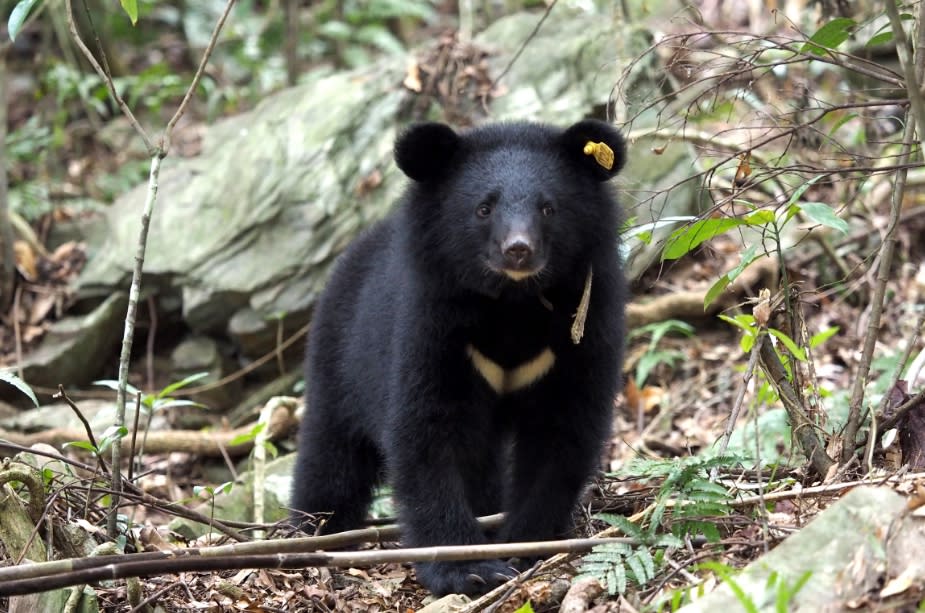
(425, 150)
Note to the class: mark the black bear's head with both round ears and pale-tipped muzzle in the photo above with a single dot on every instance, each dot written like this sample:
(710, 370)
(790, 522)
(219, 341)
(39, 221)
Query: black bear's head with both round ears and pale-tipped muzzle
(511, 204)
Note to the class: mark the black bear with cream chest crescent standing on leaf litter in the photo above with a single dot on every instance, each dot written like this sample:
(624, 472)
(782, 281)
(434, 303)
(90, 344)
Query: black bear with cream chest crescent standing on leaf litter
(468, 348)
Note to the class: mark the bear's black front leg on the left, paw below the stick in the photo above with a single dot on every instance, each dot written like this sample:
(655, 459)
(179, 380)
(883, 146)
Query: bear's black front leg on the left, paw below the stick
(444, 466)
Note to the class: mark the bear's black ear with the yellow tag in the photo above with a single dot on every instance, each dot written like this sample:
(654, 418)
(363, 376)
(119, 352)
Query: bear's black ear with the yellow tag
(595, 146)
